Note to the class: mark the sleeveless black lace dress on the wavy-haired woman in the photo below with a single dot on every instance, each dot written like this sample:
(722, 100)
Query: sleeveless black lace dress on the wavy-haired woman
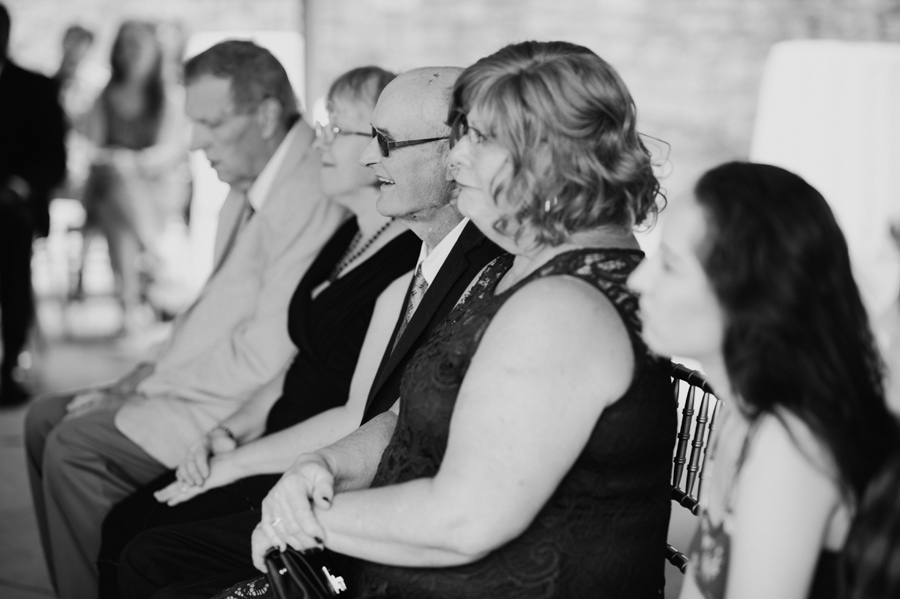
(603, 532)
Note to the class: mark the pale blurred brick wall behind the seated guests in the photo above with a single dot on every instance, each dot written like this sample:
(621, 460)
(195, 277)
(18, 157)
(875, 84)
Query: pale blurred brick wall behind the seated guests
(694, 66)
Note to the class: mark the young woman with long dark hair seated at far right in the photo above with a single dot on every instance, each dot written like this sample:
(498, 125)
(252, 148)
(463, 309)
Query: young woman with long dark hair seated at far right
(753, 280)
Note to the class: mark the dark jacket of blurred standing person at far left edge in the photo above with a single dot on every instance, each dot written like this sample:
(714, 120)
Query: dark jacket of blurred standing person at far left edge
(32, 138)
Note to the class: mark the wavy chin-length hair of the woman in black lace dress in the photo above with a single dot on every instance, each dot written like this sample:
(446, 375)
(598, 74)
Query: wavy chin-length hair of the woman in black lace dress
(568, 122)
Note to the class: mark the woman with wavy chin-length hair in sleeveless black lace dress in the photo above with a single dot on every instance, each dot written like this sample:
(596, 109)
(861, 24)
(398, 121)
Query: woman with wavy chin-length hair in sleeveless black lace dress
(532, 450)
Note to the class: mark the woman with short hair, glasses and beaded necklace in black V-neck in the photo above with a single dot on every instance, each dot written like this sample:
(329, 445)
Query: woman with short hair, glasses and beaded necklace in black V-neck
(340, 318)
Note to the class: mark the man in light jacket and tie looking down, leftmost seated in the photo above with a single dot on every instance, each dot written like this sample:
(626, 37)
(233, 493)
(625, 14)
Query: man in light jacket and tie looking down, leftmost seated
(87, 453)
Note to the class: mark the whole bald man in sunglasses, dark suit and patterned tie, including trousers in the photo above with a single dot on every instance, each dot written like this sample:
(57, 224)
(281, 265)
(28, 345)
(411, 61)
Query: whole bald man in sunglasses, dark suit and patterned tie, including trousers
(409, 154)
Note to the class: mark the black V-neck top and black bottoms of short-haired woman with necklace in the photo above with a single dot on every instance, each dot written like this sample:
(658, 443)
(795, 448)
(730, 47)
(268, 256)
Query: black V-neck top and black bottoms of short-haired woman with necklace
(328, 332)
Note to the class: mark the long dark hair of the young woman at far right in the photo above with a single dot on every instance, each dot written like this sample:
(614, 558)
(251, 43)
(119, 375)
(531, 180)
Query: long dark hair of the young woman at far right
(797, 335)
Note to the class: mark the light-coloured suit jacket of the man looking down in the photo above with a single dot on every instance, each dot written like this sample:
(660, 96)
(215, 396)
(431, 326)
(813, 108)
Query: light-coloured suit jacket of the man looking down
(232, 343)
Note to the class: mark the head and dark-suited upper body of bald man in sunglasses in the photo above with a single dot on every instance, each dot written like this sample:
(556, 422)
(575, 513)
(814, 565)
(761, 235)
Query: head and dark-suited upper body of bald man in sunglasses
(409, 155)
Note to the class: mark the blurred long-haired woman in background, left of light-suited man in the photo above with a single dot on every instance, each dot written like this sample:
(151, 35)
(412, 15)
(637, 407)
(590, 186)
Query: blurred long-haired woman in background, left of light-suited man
(137, 179)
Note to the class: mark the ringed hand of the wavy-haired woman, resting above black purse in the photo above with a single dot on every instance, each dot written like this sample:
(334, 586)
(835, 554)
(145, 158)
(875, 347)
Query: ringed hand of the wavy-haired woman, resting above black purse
(287, 510)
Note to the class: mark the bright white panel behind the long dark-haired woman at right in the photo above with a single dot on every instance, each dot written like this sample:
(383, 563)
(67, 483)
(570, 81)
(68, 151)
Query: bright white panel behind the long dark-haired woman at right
(830, 112)
